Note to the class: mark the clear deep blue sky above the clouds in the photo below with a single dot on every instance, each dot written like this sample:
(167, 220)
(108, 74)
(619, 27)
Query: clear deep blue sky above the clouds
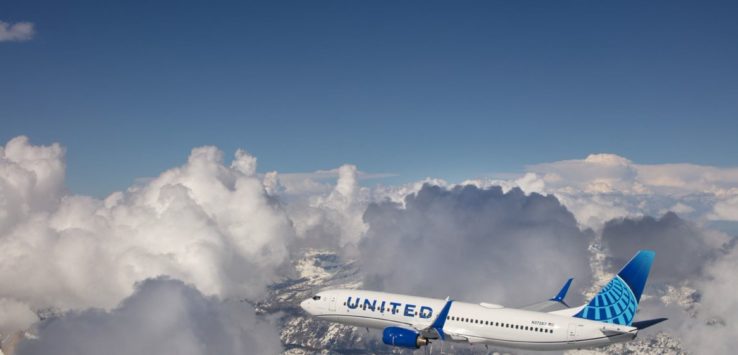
(417, 88)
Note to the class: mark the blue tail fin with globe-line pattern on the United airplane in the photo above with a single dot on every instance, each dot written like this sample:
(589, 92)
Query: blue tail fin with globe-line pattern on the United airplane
(617, 302)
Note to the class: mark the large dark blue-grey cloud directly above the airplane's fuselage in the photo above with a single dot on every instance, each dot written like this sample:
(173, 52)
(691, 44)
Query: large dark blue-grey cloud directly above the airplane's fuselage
(476, 243)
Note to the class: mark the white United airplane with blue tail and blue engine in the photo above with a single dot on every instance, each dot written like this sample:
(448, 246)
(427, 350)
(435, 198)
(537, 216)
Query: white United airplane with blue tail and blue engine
(413, 322)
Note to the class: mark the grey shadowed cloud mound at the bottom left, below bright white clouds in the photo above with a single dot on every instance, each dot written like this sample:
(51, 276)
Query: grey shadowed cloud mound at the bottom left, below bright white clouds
(162, 316)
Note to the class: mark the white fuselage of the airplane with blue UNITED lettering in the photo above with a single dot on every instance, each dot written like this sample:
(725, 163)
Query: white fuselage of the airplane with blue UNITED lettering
(467, 322)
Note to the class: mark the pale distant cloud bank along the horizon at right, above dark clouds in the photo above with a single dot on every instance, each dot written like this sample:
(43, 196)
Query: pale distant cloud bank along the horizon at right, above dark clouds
(602, 187)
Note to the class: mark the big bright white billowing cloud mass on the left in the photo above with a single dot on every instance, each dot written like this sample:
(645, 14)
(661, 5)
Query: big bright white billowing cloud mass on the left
(206, 223)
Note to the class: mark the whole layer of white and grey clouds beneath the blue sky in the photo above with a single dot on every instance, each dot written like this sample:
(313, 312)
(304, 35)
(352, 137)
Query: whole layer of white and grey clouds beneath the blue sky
(220, 231)
